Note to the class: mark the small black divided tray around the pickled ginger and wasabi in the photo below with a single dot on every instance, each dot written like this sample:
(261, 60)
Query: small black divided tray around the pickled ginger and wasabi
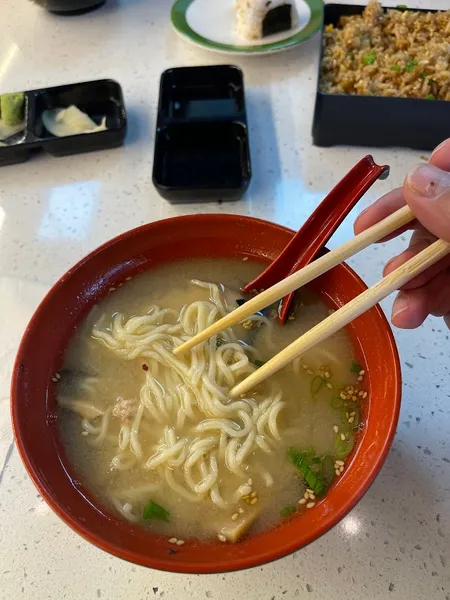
(98, 99)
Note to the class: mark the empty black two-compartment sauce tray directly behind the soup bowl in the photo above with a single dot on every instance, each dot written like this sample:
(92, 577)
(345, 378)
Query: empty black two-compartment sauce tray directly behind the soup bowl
(201, 146)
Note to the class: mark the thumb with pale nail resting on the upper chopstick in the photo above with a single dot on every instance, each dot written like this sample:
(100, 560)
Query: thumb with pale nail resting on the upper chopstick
(427, 192)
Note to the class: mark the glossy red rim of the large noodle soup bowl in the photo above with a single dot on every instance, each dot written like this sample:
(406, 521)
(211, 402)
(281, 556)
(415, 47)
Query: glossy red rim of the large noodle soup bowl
(238, 563)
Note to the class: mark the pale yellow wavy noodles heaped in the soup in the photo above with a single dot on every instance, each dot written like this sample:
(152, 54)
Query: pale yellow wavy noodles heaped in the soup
(191, 390)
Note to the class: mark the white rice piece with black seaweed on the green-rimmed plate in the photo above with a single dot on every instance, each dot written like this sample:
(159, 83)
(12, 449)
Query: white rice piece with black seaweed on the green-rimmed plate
(257, 19)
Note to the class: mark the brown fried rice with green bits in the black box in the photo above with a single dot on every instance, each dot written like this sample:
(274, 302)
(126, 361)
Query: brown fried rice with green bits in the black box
(403, 53)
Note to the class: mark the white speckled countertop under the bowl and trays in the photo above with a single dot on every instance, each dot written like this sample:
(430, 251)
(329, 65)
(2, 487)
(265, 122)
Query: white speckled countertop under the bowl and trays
(396, 543)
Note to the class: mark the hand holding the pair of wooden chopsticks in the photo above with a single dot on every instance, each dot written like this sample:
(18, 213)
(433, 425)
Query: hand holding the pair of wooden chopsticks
(426, 190)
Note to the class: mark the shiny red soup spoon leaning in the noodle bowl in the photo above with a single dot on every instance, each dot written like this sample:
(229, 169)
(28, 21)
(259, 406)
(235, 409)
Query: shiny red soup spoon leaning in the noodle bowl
(317, 230)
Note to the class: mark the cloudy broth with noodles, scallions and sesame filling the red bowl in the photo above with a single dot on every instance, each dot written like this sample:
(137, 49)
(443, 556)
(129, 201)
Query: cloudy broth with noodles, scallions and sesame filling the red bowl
(157, 439)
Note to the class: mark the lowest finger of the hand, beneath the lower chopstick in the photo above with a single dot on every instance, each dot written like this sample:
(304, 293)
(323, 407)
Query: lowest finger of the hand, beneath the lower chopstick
(412, 307)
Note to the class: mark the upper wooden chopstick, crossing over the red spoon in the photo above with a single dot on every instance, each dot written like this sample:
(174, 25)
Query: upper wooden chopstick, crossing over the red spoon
(303, 276)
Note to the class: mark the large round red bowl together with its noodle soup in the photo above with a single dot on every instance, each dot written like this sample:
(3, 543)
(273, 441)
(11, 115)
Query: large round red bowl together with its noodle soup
(144, 455)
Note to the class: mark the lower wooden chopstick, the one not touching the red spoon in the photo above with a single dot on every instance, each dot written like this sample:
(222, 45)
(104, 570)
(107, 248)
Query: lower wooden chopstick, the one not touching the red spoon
(347, 313)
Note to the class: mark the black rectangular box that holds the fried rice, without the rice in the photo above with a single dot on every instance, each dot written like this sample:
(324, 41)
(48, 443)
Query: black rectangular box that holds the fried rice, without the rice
(375, 120)
